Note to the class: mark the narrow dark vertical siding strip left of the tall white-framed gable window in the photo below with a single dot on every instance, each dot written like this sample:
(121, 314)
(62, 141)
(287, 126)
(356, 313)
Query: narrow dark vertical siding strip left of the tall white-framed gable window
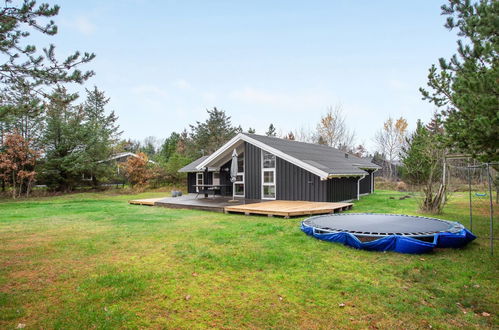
(253, 171)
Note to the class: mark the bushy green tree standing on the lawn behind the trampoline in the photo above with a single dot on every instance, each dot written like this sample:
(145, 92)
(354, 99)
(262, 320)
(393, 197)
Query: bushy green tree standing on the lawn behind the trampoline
(422, 158)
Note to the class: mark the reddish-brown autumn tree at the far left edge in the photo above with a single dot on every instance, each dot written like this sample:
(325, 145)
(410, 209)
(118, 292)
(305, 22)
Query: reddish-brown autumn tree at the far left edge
(17, 164)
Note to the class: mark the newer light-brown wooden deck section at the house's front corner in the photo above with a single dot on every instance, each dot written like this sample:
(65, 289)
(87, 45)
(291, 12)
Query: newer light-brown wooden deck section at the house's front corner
(288, 208)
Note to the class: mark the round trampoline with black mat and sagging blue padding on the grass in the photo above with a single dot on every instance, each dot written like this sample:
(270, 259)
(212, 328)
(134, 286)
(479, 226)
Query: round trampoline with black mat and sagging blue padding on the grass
(387, 232)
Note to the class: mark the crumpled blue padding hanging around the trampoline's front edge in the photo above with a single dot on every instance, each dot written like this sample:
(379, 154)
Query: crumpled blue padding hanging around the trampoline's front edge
(397, 243)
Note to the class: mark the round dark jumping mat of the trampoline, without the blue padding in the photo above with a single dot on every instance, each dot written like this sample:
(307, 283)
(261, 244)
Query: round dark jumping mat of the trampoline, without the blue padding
(381, 224)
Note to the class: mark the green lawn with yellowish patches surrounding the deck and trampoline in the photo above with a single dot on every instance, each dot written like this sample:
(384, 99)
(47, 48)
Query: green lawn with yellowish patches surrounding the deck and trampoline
(93, 261)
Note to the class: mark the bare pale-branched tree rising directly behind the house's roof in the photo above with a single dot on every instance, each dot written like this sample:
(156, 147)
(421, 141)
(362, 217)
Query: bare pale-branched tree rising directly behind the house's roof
(333, 130)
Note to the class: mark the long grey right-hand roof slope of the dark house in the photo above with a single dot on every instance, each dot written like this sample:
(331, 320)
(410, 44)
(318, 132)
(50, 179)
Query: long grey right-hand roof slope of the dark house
(325, 158)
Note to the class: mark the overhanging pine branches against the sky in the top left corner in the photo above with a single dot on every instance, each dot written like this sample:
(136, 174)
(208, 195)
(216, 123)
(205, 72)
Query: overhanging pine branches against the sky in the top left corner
(24, 65)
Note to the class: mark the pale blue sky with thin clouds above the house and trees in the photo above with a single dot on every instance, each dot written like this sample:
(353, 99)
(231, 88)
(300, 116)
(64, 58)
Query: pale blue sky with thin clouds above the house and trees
(163, 63)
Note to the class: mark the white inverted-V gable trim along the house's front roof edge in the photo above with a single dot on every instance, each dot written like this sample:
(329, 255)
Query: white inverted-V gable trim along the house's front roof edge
(312, 169)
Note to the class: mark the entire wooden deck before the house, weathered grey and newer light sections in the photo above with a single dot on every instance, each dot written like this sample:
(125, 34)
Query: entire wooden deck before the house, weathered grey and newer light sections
(285, 209)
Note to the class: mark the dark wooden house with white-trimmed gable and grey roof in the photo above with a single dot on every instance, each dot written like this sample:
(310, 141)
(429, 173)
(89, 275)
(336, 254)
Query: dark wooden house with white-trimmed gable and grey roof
(274, 168)
